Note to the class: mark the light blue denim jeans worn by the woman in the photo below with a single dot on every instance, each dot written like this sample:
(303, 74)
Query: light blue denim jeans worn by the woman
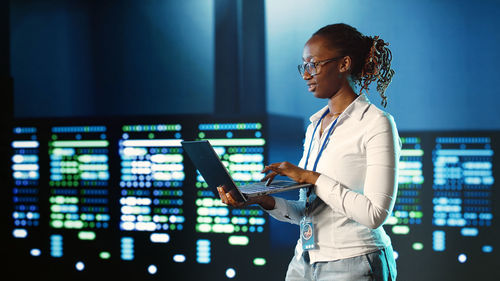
(376, 266)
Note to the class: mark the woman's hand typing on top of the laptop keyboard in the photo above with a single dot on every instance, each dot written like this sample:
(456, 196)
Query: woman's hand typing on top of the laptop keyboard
(290, 170)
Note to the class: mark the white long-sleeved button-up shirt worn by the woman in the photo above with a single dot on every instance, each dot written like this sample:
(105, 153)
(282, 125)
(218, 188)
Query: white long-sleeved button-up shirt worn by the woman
(358, 183)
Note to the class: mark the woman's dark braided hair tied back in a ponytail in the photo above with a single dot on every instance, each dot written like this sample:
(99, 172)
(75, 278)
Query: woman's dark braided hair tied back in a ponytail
(371, 59)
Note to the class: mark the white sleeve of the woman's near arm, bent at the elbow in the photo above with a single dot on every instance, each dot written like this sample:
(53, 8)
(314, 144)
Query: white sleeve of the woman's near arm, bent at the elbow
(371, 207)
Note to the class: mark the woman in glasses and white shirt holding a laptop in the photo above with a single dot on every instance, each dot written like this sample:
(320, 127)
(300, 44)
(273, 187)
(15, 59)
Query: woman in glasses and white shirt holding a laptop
(351, 155)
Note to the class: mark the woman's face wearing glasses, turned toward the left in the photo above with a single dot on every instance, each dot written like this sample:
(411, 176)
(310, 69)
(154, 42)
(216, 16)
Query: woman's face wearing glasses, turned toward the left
(328, 80)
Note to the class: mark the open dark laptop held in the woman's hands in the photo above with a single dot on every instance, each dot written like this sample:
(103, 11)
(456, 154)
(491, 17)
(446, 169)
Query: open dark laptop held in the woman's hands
(208, 163)
